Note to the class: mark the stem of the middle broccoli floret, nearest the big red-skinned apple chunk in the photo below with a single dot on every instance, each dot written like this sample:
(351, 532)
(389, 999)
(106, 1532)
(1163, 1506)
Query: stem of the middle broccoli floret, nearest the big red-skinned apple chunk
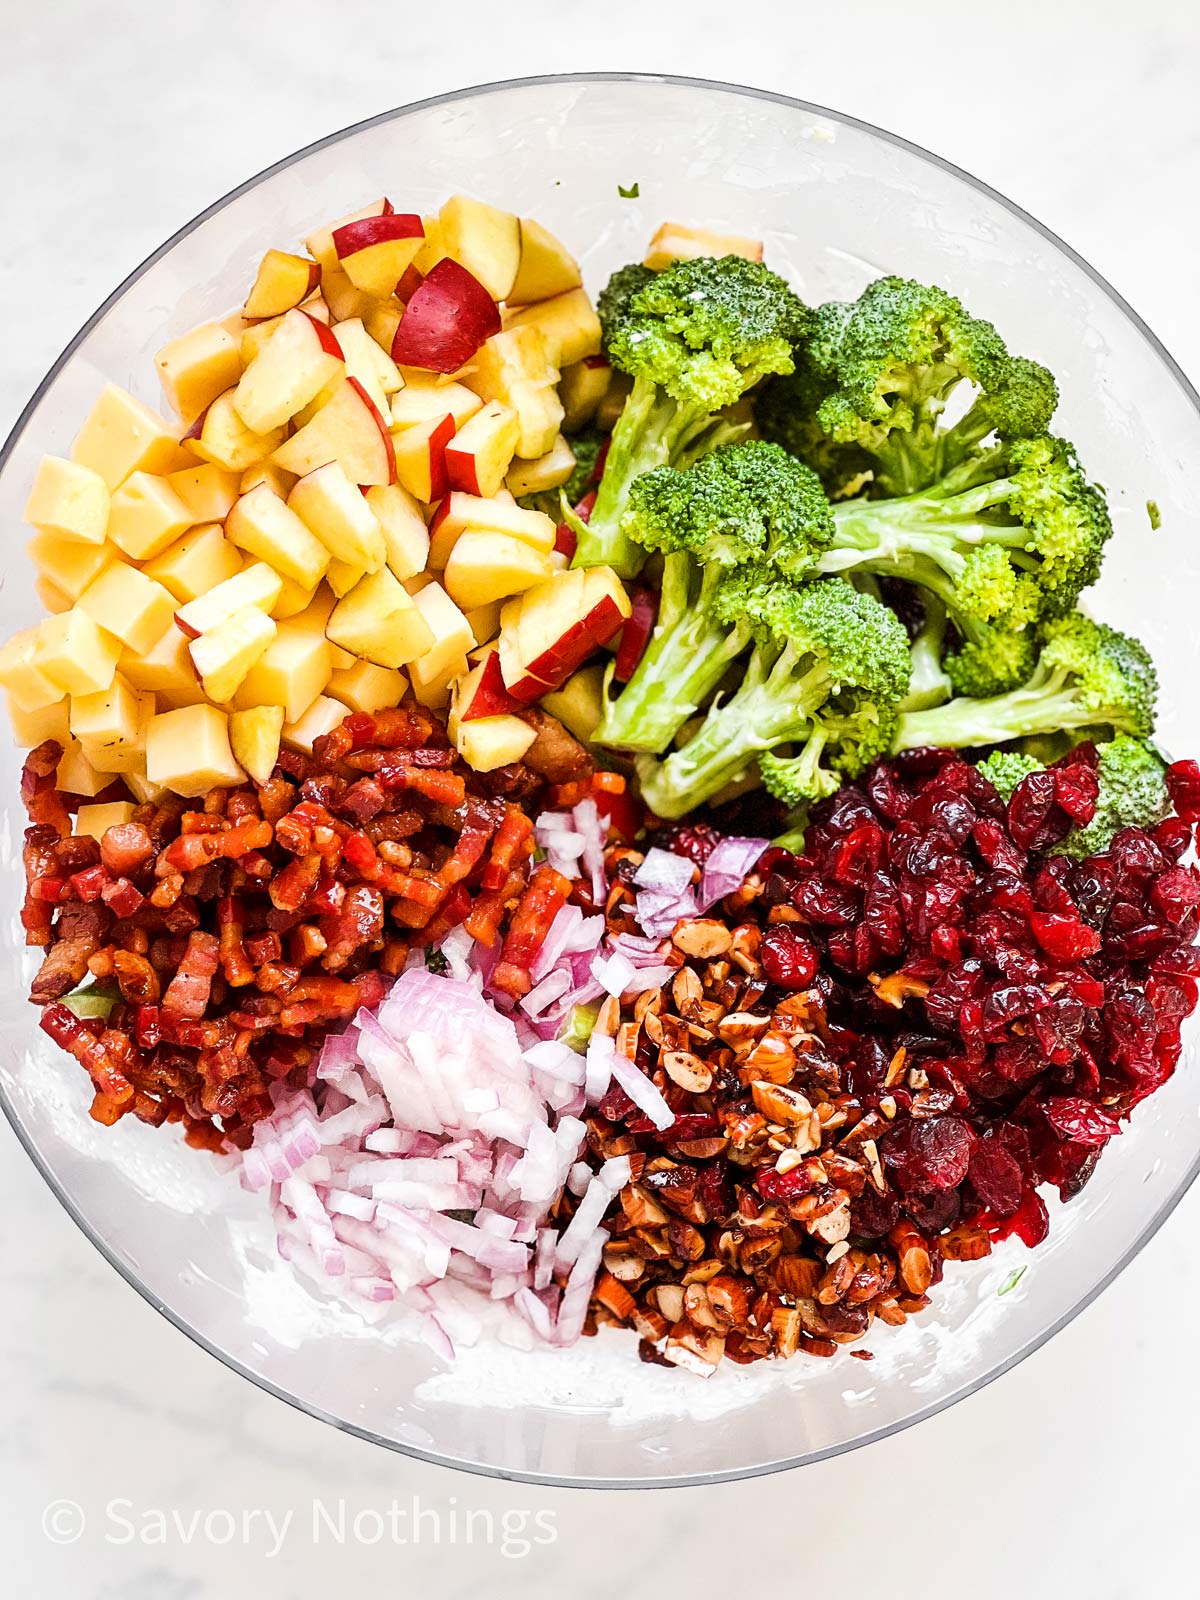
(686, 660)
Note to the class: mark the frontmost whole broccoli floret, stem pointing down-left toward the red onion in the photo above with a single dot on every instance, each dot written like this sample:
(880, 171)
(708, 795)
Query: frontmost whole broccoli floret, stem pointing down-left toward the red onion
(828, 670)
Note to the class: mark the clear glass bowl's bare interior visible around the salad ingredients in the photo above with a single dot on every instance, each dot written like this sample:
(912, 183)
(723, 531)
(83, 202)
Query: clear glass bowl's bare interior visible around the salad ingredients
(838, 204)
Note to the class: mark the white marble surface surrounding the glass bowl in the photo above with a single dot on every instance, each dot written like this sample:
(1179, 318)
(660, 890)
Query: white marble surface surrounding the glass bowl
(1074, 1474)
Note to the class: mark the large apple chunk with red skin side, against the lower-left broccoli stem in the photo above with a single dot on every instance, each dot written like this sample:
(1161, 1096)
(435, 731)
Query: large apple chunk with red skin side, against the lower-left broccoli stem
(558, 626)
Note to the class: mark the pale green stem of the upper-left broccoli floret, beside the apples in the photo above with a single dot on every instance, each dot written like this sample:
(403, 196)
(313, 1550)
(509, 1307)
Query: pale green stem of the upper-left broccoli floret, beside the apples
(650, 431)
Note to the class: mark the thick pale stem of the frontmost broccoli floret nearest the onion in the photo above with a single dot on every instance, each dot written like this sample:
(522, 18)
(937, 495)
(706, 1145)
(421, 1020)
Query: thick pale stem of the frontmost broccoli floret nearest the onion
(772, 706)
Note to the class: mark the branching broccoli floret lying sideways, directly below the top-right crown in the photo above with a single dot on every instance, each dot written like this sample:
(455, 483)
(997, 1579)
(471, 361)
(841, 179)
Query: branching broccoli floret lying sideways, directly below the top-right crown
(1009, 537)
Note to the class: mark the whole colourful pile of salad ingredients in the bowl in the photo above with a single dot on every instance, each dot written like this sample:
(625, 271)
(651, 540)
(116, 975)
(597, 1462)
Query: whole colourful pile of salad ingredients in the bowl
(610, 814)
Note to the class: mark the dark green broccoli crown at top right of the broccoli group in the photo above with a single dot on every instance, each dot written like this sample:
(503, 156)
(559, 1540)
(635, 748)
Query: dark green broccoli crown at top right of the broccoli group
(881, 372)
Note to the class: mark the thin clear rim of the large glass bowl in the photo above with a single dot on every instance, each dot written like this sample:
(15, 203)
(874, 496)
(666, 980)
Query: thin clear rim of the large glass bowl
(686, 1481)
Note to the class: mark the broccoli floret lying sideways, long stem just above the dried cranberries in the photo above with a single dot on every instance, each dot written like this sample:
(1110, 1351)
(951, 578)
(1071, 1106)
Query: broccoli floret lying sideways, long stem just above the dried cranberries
(1087, 676)
